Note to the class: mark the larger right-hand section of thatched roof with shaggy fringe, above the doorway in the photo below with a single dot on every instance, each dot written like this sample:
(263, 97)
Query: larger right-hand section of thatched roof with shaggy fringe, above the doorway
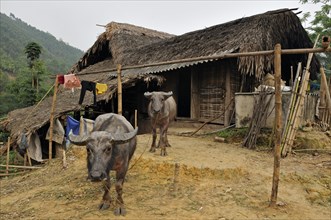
(256, 33)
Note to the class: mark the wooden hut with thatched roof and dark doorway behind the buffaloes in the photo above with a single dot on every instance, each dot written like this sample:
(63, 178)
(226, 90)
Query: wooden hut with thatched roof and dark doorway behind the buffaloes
(201, 88)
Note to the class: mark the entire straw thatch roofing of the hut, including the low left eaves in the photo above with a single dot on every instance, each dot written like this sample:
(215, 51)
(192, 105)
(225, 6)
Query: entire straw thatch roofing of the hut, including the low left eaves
(131, 45)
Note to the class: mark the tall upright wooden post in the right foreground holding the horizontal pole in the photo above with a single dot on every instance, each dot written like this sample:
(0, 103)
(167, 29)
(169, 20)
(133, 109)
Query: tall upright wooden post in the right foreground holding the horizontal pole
(278, 124)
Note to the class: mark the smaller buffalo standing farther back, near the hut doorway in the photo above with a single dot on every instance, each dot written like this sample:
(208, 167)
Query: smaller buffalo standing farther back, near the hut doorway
(162, 110)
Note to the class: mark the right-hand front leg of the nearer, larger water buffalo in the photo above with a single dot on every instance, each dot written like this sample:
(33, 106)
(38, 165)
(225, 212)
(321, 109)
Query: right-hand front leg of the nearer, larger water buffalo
(120, 208)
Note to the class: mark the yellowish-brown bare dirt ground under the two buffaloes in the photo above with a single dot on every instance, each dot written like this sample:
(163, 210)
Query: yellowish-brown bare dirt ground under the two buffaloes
(215, 181)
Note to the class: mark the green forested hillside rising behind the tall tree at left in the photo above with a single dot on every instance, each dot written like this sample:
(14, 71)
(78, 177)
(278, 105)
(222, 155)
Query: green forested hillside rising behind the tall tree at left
(15, 34)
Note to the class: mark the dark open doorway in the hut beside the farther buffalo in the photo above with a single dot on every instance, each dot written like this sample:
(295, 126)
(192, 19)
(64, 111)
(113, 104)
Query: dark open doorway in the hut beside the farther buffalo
(184, 95)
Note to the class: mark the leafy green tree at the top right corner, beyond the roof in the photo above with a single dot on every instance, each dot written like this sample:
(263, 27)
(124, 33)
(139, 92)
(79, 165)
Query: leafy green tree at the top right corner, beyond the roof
(321, 24)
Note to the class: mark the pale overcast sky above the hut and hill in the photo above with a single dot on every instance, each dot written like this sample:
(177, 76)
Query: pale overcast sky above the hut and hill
(75, 22)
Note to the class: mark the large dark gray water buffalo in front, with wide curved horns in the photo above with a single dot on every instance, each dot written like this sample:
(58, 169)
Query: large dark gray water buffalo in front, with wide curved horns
(110, 146)
